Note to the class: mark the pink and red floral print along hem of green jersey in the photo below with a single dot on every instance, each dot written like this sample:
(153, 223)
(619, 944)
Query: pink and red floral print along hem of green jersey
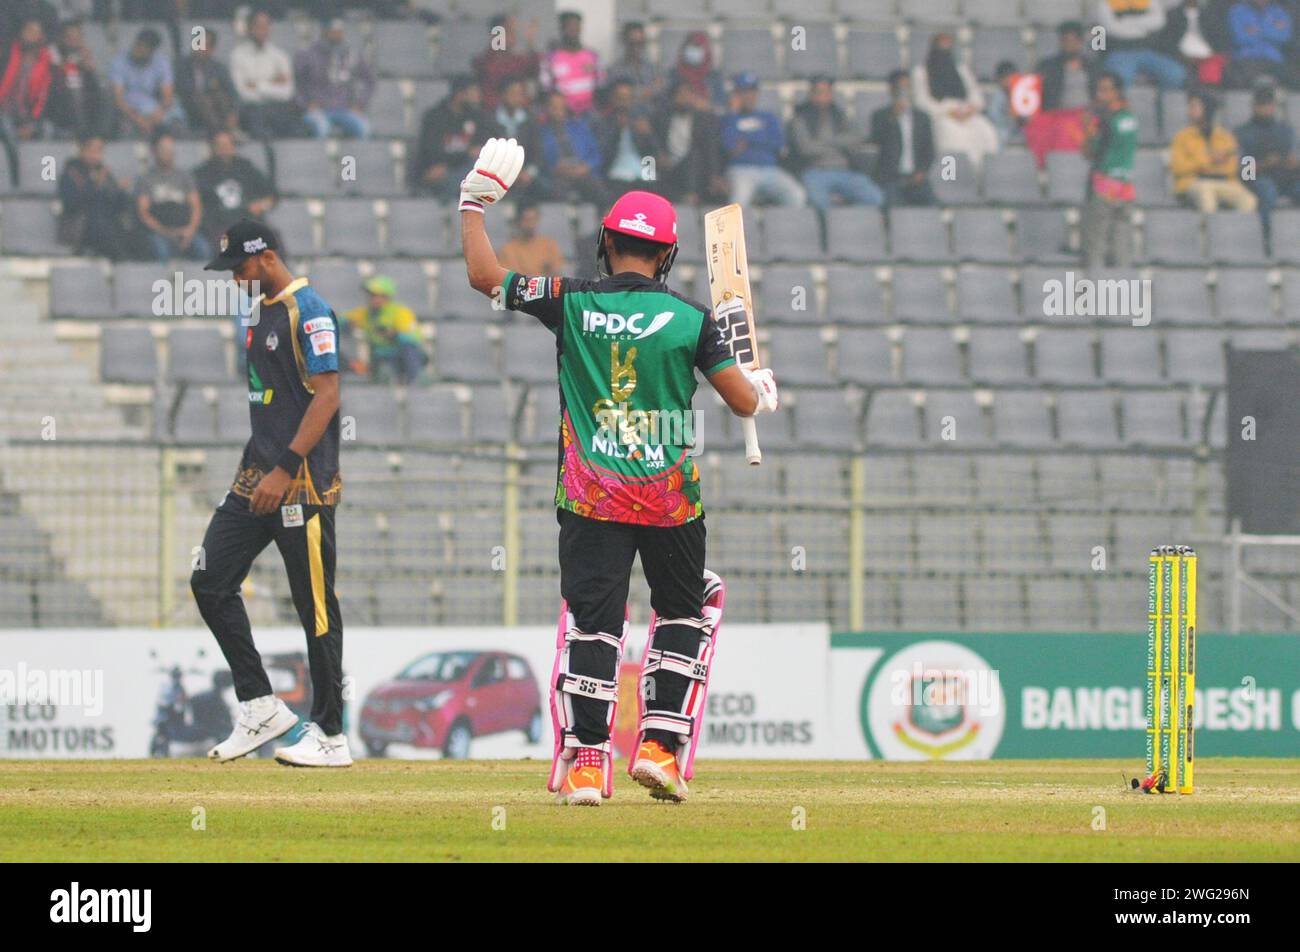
(671, 500)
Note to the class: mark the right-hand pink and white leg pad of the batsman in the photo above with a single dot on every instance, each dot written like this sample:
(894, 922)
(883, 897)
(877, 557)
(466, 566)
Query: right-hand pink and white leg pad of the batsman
(690, 721)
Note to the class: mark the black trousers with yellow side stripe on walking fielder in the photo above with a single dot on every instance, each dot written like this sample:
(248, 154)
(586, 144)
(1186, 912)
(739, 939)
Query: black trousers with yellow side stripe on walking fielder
(233, 540)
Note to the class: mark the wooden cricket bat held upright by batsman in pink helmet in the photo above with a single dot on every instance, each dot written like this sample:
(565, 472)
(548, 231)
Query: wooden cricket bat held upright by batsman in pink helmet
(733, 301)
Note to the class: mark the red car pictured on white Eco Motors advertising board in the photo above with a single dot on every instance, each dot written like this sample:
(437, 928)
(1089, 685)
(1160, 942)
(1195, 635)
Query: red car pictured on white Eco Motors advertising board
(443, 700)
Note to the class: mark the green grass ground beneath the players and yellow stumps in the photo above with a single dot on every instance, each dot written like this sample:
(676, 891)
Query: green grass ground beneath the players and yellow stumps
(428, 811)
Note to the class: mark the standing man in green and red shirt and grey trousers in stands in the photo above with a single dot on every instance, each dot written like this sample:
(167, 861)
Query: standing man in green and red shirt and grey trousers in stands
(1112, 149)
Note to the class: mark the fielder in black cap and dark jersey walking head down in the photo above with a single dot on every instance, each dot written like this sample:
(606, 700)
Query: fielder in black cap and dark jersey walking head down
(285, 492)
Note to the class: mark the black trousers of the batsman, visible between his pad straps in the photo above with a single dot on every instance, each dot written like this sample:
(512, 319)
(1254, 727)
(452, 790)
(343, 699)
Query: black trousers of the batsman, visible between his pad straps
(596, 570)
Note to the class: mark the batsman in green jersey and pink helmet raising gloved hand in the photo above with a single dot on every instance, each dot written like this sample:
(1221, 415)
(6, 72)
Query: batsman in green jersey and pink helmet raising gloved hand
(627, 349)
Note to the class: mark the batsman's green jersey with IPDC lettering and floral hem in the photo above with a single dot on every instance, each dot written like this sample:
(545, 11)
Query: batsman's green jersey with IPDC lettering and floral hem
(627, 350)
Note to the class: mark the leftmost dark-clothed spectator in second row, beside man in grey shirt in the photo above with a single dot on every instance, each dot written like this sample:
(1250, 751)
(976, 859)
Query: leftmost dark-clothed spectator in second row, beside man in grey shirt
(96, 205)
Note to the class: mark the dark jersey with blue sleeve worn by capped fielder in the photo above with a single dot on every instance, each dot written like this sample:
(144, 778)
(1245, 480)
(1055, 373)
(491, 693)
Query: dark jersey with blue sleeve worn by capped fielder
(291, 339)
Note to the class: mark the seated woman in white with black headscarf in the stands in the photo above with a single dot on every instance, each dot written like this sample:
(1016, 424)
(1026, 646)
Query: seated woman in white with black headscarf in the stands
(947, 90)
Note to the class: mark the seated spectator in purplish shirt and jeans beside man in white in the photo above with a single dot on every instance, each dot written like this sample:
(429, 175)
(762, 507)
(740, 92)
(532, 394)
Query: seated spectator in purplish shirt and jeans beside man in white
(335, 85)
